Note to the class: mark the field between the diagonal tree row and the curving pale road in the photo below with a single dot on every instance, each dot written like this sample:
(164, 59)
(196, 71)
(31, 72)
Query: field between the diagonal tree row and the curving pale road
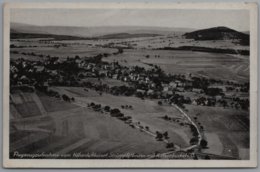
(147, 112)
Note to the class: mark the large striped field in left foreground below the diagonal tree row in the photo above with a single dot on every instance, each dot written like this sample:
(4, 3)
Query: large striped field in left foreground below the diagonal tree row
(78, 129)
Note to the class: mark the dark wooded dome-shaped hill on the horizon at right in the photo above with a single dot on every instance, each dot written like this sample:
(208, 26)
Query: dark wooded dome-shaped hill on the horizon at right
(218, 33)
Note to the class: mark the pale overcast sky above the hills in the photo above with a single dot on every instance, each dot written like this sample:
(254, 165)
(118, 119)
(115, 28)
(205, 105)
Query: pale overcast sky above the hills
(197, 19)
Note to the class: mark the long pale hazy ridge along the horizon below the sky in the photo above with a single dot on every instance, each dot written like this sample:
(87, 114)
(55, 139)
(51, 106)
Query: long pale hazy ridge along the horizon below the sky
(94, 31)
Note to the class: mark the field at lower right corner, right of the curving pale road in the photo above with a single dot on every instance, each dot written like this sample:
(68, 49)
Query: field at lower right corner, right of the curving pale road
(217, 122)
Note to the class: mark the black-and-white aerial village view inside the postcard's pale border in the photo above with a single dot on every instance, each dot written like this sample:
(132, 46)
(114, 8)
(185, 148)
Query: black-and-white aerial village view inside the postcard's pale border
(129, 84)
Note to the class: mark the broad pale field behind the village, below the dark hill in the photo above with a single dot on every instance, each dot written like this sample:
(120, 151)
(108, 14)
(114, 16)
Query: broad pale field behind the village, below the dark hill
(210, 65)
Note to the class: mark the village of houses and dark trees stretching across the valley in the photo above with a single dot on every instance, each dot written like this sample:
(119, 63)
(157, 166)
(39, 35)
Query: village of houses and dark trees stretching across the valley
(151, 83)
